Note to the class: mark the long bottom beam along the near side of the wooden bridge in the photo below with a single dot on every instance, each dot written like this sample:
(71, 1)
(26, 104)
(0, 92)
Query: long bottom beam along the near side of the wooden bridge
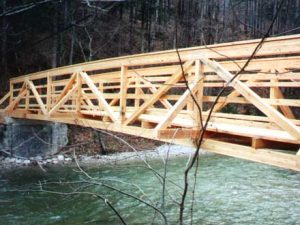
(266, 156)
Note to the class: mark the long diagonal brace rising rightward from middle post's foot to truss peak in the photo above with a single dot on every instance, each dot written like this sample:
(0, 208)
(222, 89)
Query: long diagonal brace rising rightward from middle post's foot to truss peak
(160, 92)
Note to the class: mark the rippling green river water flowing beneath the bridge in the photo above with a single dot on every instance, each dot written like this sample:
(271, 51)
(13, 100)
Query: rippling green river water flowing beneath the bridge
(228, 191)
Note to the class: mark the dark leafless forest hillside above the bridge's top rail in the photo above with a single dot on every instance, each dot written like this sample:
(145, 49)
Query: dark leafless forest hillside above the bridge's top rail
(42, 34)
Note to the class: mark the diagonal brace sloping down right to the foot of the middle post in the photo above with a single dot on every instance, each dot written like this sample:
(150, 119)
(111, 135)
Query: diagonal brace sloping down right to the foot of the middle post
(99, 96)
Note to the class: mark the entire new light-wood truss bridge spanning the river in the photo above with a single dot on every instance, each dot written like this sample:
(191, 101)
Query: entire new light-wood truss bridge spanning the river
(257, 117)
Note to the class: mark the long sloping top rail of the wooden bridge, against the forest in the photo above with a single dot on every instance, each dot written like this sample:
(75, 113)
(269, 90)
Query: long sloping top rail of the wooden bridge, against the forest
(275, 46)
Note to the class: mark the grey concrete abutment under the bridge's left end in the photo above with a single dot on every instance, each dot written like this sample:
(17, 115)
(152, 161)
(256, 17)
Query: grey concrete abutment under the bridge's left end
(29, 138)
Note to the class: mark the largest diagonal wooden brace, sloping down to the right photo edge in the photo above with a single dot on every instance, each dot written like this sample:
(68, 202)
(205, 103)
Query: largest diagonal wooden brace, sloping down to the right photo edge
(252, 97)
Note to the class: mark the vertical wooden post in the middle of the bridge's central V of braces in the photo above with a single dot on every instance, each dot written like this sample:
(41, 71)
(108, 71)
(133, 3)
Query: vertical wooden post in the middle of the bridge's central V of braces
(123, 93)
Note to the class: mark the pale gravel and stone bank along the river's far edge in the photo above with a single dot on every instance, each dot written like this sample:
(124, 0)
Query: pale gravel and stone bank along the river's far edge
(161, 152)
